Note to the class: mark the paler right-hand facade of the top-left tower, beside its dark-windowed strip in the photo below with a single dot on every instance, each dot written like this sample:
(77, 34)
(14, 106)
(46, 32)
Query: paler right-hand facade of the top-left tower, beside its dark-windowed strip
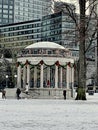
(26, 10)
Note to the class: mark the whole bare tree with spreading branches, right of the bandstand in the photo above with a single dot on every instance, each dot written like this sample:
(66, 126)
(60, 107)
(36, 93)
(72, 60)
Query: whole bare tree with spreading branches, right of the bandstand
(84, 35)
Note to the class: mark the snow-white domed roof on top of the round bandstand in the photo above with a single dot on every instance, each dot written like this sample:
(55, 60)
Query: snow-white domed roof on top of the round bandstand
(46, 44)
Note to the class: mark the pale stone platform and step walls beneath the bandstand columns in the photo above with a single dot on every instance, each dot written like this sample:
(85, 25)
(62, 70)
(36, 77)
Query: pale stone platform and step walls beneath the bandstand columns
(38, 93)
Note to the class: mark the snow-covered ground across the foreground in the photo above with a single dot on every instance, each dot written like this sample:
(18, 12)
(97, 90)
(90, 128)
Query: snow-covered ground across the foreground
(27, 114)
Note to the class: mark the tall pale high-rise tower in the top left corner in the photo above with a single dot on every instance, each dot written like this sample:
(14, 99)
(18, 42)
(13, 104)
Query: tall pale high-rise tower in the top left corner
(12, 11)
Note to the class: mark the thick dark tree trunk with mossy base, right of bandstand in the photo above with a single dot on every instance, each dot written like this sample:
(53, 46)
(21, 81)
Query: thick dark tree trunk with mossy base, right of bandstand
(81, 93)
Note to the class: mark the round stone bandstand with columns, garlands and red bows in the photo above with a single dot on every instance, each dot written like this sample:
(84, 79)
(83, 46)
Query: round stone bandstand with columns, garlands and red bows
(47, 68)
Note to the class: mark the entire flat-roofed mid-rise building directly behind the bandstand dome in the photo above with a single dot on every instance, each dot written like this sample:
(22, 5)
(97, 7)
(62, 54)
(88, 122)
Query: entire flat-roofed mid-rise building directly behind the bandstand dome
(58, 27)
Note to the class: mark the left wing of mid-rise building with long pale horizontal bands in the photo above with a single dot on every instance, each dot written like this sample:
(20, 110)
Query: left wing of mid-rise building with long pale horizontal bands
(19, 35)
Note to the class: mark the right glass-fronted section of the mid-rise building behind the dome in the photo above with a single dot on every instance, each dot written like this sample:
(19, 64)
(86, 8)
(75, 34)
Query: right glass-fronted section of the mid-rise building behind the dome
(59, 28)
